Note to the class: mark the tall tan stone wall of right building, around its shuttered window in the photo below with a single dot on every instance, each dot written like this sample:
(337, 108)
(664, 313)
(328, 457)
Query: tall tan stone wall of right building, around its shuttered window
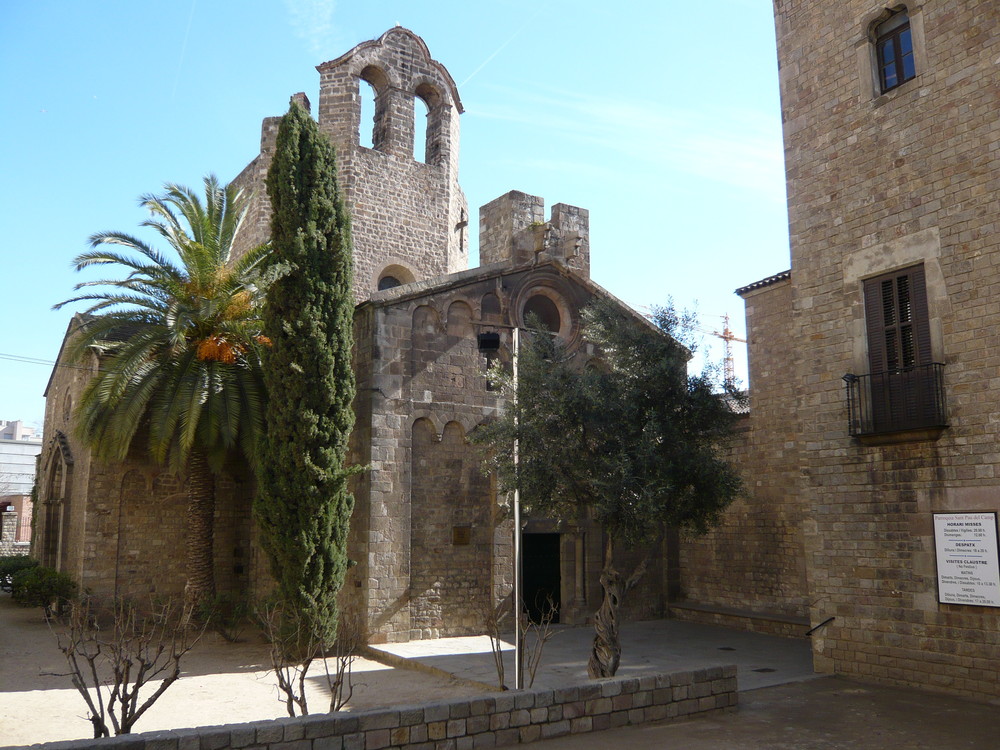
(879, 182)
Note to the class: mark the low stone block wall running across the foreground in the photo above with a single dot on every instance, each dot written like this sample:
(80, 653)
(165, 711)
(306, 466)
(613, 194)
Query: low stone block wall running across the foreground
(498, 720)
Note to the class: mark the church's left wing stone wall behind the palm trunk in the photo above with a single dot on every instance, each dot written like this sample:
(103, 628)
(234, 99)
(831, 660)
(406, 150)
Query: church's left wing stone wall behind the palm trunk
(119, 529)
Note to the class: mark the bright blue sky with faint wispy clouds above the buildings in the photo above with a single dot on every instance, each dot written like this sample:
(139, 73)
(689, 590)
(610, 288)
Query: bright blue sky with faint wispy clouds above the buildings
(661, 117)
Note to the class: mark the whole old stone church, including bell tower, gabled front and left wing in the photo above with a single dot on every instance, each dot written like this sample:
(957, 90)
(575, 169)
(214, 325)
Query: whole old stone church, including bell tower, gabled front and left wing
(431, 539)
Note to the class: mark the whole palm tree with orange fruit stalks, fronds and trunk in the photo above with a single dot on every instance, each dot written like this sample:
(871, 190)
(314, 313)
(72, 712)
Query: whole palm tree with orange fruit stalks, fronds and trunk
(179, 347)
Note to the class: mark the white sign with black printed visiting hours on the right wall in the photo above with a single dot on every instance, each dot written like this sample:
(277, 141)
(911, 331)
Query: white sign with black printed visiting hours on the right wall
(968, 564)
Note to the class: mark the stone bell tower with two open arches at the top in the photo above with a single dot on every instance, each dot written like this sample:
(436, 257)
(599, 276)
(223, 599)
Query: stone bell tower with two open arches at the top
(410, 217)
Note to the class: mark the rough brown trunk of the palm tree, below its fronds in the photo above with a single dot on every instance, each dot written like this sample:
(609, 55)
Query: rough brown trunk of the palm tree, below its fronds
(200, 532)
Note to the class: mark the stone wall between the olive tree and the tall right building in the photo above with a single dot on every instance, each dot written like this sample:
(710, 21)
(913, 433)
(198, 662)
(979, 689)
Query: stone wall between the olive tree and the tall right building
(750, 571)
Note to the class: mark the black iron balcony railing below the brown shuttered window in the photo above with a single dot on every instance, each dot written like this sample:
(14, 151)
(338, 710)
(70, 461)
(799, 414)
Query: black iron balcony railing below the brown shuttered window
(911, 398)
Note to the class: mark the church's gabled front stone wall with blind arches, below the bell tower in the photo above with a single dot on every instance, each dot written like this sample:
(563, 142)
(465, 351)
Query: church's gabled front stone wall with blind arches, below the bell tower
(432, 539)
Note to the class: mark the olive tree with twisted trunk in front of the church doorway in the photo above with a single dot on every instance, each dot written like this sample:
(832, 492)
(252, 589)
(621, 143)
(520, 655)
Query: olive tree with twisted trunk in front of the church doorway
(629, 439)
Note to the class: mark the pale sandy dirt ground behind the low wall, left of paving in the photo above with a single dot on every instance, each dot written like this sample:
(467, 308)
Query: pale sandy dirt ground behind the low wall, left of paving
(222, 683)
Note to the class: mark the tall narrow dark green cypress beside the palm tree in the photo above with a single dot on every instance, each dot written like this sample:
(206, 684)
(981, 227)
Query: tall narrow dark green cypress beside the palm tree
(303, 504)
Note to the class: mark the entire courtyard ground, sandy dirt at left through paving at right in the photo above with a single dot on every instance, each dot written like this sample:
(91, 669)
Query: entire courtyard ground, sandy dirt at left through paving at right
(783, 705)
